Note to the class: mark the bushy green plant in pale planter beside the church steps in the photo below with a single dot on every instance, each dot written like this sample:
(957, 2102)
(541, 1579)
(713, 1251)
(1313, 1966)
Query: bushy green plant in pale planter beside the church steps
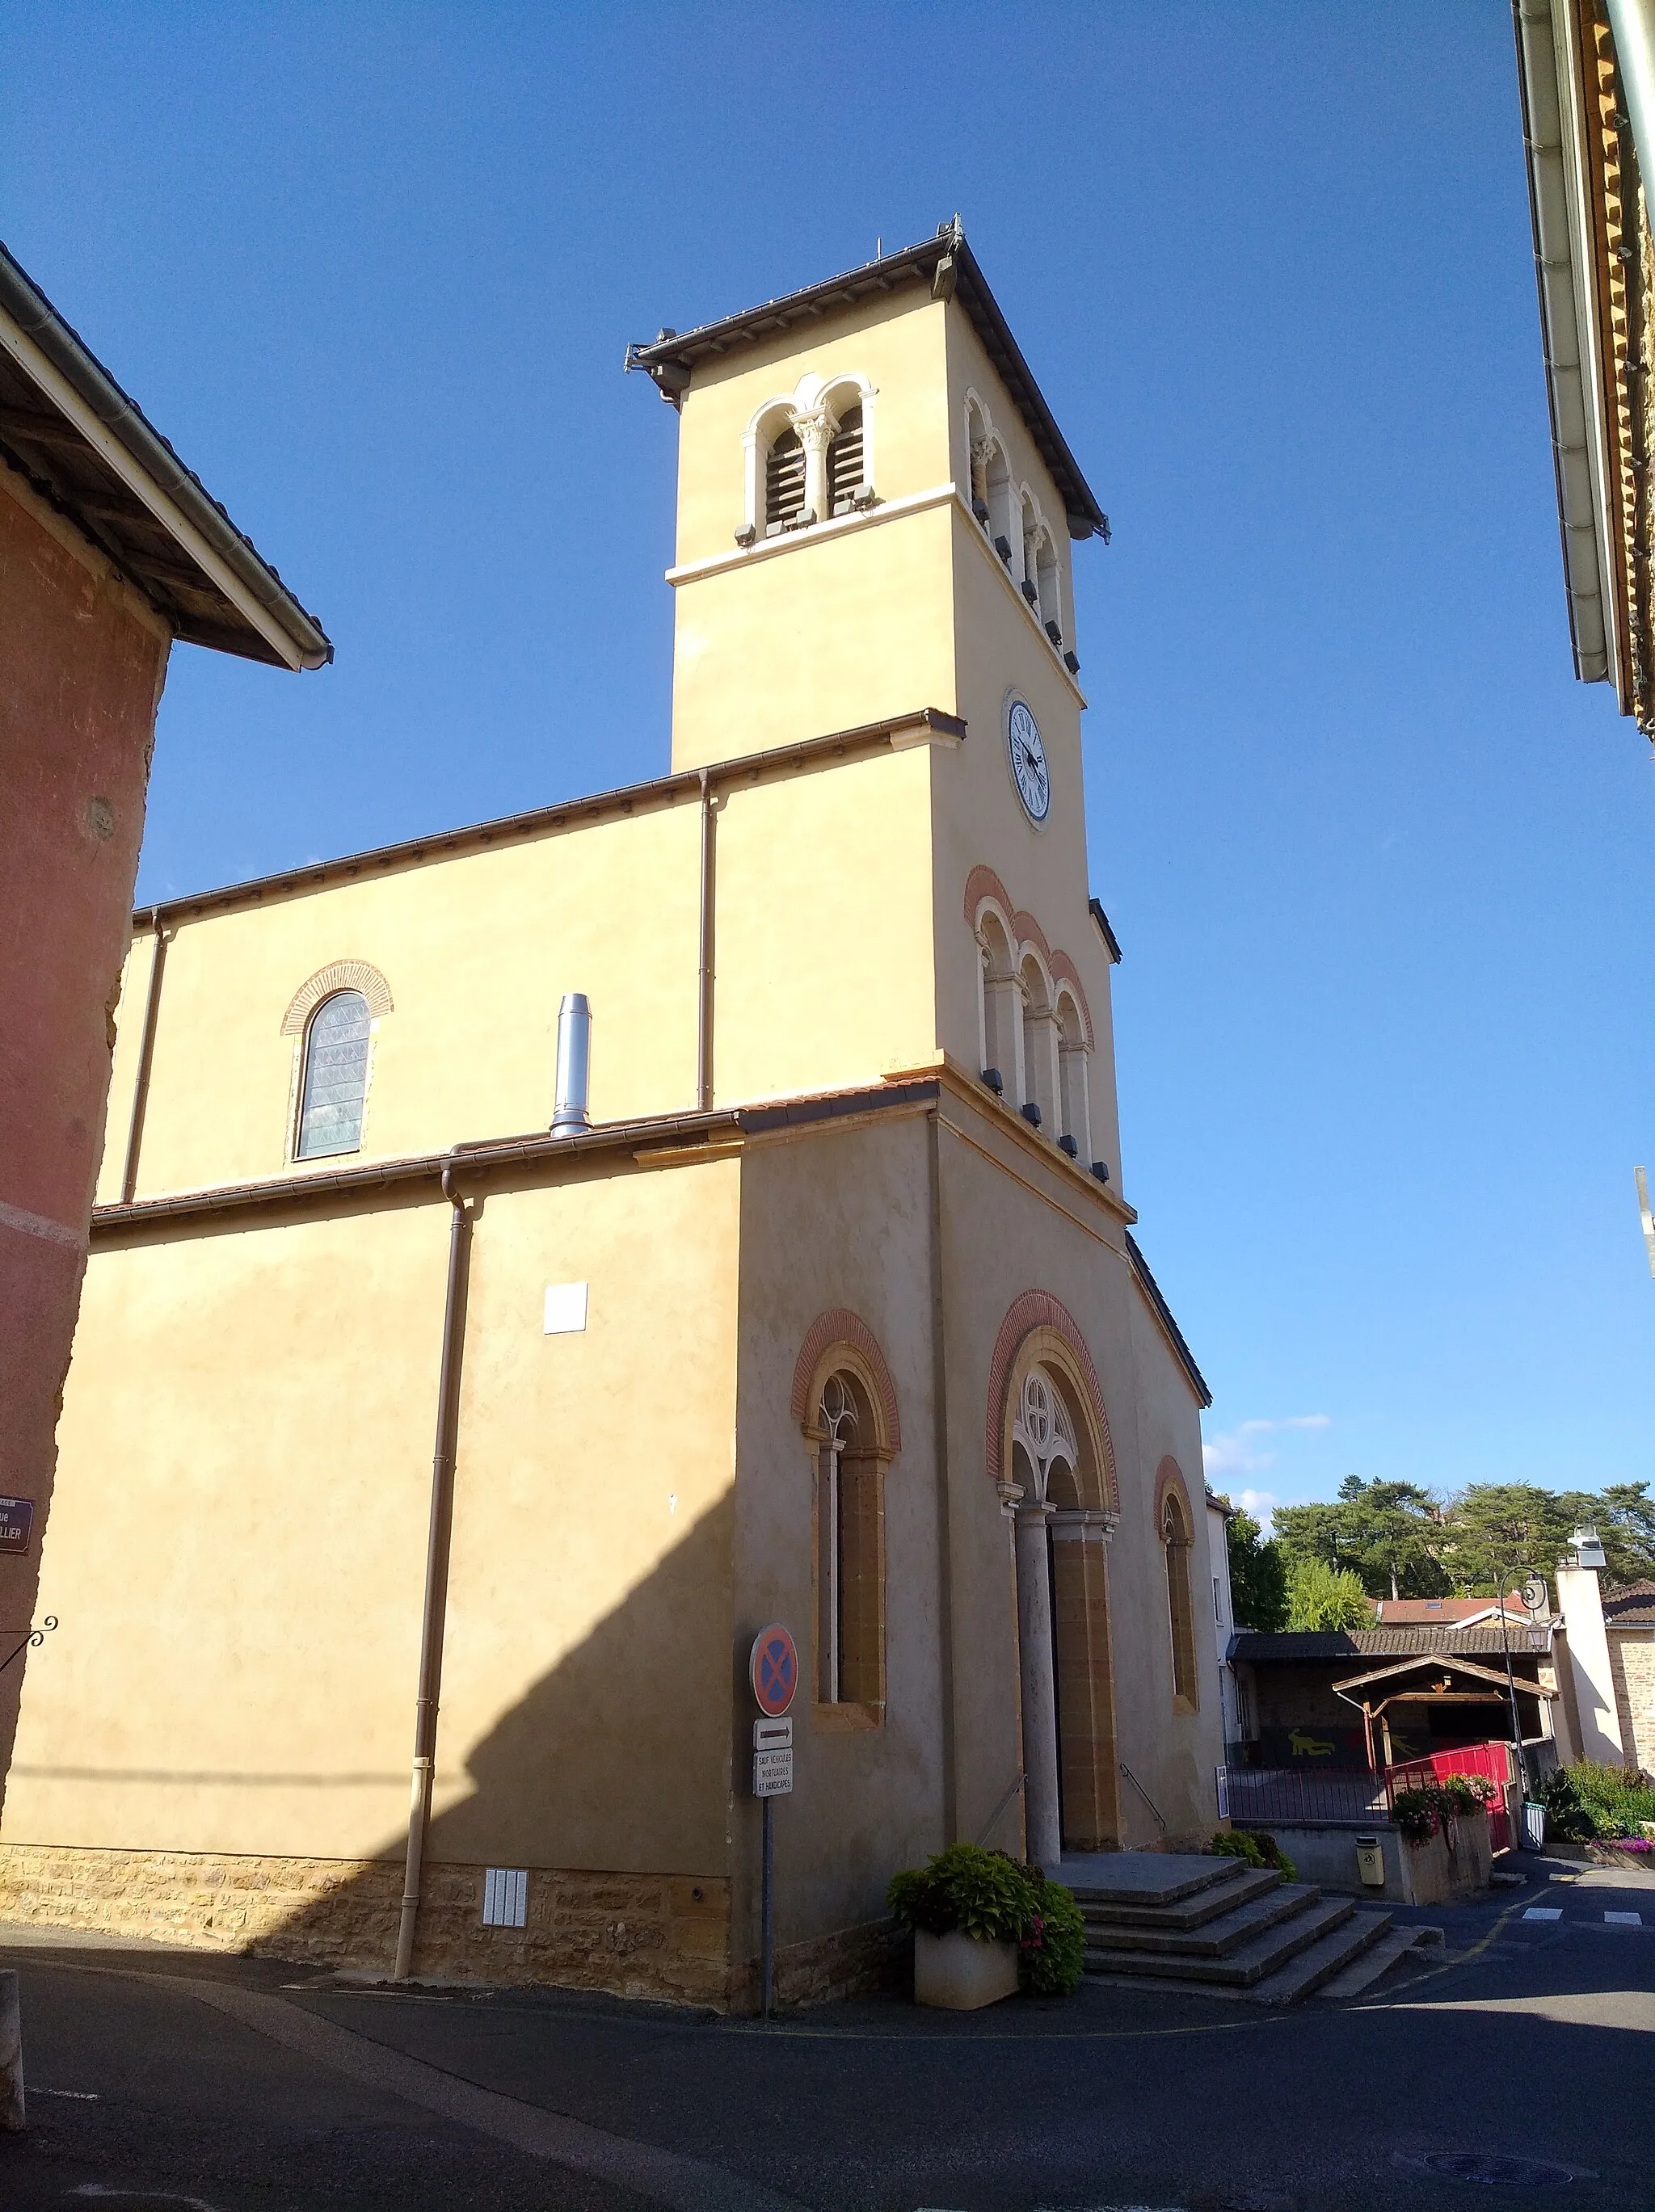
(988, 1926)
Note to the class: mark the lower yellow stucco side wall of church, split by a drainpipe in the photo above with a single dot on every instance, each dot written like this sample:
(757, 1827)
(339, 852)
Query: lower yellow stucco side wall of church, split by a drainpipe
(238, 1550)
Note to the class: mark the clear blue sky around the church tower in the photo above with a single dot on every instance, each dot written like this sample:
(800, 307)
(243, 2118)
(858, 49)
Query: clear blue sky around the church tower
(1377, 864)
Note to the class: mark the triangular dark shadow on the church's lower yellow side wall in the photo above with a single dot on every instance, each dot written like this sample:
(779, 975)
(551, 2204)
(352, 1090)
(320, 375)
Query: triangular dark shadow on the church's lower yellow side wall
(618, 1760)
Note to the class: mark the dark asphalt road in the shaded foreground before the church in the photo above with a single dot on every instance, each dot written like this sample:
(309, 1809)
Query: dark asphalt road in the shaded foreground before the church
(233, 2085)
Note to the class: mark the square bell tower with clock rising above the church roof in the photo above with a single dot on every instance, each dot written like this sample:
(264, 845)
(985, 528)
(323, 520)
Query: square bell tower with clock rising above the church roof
(875, 517)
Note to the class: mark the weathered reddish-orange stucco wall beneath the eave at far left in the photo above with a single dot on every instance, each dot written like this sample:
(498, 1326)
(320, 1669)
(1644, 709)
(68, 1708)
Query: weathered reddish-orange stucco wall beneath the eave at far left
(81, 676)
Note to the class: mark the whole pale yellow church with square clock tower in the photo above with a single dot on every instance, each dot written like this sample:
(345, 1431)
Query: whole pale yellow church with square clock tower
(537, 1258)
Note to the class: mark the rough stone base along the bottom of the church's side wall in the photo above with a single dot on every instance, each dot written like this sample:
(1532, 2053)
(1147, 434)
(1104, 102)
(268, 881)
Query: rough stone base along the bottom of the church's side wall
(632, 1934)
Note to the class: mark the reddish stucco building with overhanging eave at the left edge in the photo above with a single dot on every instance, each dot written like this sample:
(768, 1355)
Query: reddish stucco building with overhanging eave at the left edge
(110, 550)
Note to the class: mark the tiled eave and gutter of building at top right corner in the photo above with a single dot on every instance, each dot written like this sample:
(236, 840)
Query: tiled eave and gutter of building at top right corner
(1588, 76)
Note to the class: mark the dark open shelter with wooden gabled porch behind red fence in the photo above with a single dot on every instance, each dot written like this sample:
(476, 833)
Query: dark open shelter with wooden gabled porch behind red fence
(1428, 1691)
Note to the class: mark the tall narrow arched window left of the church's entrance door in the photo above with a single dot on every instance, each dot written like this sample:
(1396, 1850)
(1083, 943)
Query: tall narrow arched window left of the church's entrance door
(851, 1547)
